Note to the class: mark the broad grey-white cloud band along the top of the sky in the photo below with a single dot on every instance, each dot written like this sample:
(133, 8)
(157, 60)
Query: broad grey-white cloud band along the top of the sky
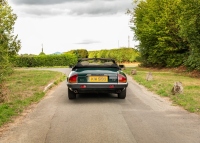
(97, 7)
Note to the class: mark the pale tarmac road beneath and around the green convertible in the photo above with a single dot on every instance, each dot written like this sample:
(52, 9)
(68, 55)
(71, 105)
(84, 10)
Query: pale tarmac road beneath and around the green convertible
(142, 117)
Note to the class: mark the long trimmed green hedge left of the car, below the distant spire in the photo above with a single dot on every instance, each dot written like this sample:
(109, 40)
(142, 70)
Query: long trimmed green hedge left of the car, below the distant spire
(44, 60)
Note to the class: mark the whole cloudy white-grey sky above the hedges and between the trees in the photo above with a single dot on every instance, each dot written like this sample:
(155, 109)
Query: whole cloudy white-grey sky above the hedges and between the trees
(64, 25)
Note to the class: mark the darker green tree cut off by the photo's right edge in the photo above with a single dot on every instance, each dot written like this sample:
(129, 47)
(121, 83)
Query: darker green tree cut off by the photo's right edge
(190, 31)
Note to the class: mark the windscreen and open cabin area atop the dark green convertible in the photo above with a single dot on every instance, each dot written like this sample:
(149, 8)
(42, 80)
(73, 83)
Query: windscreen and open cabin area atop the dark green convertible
(96, 63)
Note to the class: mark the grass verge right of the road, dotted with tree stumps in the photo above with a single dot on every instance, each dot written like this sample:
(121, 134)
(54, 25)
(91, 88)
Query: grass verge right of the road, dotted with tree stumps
(162, 83)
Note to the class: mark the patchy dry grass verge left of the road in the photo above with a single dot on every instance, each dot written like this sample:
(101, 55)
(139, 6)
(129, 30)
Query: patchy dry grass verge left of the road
(23, 88)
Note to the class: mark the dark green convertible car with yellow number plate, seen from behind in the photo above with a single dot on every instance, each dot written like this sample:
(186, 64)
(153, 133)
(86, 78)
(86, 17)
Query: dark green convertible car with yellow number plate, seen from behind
(96, 75)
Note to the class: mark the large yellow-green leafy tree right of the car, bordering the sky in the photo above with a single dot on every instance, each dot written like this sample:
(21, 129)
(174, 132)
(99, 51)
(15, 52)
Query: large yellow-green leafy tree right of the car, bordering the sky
(157, 29)
